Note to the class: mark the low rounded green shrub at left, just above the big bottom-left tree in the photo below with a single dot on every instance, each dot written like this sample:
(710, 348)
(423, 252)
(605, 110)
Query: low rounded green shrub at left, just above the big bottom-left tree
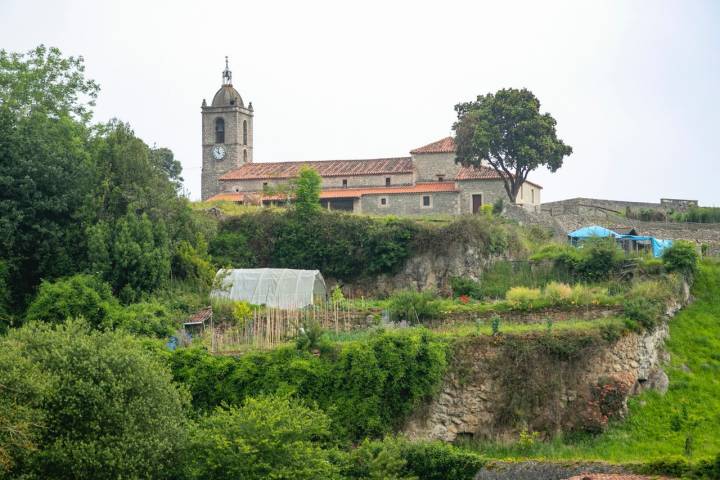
(77, 296)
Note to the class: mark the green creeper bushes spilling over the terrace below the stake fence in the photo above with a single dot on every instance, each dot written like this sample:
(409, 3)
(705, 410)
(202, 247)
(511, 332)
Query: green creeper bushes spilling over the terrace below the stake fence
(367, 387)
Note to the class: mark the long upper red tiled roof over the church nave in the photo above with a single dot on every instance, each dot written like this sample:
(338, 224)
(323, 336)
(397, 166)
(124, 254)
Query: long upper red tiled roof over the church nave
(326, 168)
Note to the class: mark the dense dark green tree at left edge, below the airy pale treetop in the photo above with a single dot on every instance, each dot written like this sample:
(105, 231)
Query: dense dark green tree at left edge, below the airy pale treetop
(44, 184)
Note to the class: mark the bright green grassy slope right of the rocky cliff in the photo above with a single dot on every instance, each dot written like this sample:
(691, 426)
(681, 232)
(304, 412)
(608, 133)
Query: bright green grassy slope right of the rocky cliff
(659, 426)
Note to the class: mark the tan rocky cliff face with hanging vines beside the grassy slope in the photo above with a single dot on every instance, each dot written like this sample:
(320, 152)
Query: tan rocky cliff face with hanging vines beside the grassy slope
(555, 392)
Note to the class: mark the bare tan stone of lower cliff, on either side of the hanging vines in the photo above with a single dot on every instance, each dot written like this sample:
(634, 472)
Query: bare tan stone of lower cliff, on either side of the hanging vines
(471, 399)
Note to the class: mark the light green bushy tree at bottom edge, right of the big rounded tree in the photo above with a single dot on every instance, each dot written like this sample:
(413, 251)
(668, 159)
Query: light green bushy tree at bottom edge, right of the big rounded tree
(268, 437)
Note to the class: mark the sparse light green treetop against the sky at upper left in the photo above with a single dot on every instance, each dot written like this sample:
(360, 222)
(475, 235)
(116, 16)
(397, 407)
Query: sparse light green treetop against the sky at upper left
(42, 79)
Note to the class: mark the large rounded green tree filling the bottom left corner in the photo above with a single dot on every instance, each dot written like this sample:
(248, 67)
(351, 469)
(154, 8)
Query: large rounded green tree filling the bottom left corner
(109, 407)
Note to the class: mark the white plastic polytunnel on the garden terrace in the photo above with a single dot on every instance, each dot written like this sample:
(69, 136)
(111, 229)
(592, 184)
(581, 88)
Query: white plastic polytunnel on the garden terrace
(274, 287)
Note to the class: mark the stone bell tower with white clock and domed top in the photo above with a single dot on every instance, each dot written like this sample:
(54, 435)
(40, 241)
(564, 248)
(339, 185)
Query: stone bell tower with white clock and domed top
(227, 134)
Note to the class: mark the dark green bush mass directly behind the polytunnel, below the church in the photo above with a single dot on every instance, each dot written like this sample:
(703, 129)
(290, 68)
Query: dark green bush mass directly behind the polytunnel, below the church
(339, 245)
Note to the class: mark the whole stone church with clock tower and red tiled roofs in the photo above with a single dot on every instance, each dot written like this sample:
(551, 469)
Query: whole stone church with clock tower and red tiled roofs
(426, 182)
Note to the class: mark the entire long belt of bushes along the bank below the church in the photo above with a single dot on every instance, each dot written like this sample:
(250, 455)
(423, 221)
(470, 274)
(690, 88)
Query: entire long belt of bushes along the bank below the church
(346, 246)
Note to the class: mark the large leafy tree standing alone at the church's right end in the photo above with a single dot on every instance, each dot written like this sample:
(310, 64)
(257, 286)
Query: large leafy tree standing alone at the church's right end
(507, 131)
